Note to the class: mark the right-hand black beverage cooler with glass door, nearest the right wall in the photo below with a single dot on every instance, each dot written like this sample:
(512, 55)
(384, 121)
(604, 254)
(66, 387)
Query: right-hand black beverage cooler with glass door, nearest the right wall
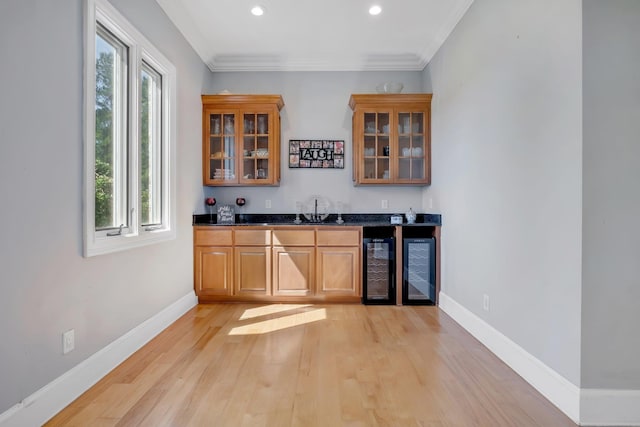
(419, 271)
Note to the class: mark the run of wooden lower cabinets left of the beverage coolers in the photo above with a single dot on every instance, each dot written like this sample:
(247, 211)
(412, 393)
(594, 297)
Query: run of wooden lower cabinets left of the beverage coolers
(279, 263)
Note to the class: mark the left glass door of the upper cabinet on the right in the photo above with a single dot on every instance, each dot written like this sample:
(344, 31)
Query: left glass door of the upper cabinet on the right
(376, 148)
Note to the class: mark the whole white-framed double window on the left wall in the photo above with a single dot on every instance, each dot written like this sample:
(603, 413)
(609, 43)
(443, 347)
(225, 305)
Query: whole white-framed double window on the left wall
(129, 136)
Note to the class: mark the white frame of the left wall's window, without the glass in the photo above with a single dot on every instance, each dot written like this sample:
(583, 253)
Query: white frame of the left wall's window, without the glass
(98, 242)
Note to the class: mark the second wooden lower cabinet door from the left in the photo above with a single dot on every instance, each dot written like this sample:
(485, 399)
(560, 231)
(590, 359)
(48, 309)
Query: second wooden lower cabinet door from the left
(253, 271)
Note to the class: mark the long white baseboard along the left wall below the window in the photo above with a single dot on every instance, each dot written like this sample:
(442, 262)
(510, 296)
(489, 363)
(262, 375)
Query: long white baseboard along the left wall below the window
(53, 397)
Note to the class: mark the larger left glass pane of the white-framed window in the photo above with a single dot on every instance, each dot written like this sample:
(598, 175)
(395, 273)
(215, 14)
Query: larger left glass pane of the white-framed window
(111, 131)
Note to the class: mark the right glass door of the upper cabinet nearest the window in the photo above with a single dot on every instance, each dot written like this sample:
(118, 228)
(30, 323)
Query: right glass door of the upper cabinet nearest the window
(255, 147)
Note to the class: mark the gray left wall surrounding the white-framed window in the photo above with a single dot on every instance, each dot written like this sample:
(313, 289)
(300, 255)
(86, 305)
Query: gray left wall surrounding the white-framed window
(46, 285)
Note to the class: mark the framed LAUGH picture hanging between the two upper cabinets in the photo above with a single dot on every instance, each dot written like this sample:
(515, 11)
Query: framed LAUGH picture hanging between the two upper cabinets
(322, 154)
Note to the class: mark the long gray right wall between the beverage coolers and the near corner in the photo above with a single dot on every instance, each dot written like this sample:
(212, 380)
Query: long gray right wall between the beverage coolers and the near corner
(507, 154)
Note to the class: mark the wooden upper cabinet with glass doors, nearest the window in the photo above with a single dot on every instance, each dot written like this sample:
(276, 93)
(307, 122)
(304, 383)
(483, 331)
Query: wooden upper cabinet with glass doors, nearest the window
(241, 139)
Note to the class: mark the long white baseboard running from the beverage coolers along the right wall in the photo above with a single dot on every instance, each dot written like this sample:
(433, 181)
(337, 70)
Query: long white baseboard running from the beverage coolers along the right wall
(557, 389)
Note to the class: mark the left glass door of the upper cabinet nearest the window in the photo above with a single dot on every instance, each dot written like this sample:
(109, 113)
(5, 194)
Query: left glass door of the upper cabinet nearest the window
(222, 140)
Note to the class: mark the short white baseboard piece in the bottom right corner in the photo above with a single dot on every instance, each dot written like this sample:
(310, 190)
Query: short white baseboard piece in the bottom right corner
(609, 407)
